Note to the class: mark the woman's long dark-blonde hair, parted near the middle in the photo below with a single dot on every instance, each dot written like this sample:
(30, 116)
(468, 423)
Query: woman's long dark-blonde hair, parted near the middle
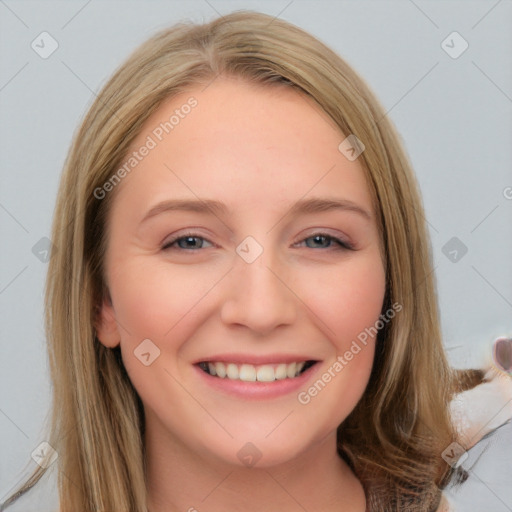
(395, 436)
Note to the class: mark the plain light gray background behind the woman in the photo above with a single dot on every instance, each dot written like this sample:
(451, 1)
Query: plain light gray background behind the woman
(454, 116)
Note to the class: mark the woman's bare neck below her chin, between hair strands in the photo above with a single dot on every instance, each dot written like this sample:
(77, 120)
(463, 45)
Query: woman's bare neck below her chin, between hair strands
(180, 480)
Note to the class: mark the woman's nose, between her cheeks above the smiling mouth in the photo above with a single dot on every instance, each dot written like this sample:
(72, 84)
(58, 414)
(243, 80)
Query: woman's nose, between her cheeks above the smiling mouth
(257, 296)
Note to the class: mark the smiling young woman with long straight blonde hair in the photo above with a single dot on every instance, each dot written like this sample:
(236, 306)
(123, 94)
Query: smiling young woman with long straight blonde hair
(242, 313)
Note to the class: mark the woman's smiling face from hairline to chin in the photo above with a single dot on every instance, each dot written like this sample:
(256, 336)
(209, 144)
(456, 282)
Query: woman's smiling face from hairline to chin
(242, 241)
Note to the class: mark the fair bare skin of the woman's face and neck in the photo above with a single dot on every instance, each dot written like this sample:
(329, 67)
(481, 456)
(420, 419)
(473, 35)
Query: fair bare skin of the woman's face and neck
(258, 150)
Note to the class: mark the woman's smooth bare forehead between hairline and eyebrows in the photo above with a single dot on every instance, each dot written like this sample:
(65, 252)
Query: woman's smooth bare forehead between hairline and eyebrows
(248, 145)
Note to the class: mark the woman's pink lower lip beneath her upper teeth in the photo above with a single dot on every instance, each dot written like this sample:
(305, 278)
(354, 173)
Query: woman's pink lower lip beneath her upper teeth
(257, 390)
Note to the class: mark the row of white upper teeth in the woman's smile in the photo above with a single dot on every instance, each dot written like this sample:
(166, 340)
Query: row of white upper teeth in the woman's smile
(251, 373)
